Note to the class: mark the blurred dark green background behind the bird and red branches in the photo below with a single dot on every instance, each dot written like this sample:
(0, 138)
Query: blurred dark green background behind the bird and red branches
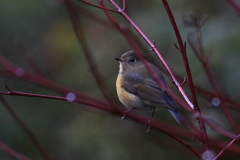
(72, 132)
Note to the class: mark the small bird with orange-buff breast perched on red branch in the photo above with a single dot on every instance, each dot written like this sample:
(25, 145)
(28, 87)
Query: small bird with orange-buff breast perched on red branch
(137, 89)
